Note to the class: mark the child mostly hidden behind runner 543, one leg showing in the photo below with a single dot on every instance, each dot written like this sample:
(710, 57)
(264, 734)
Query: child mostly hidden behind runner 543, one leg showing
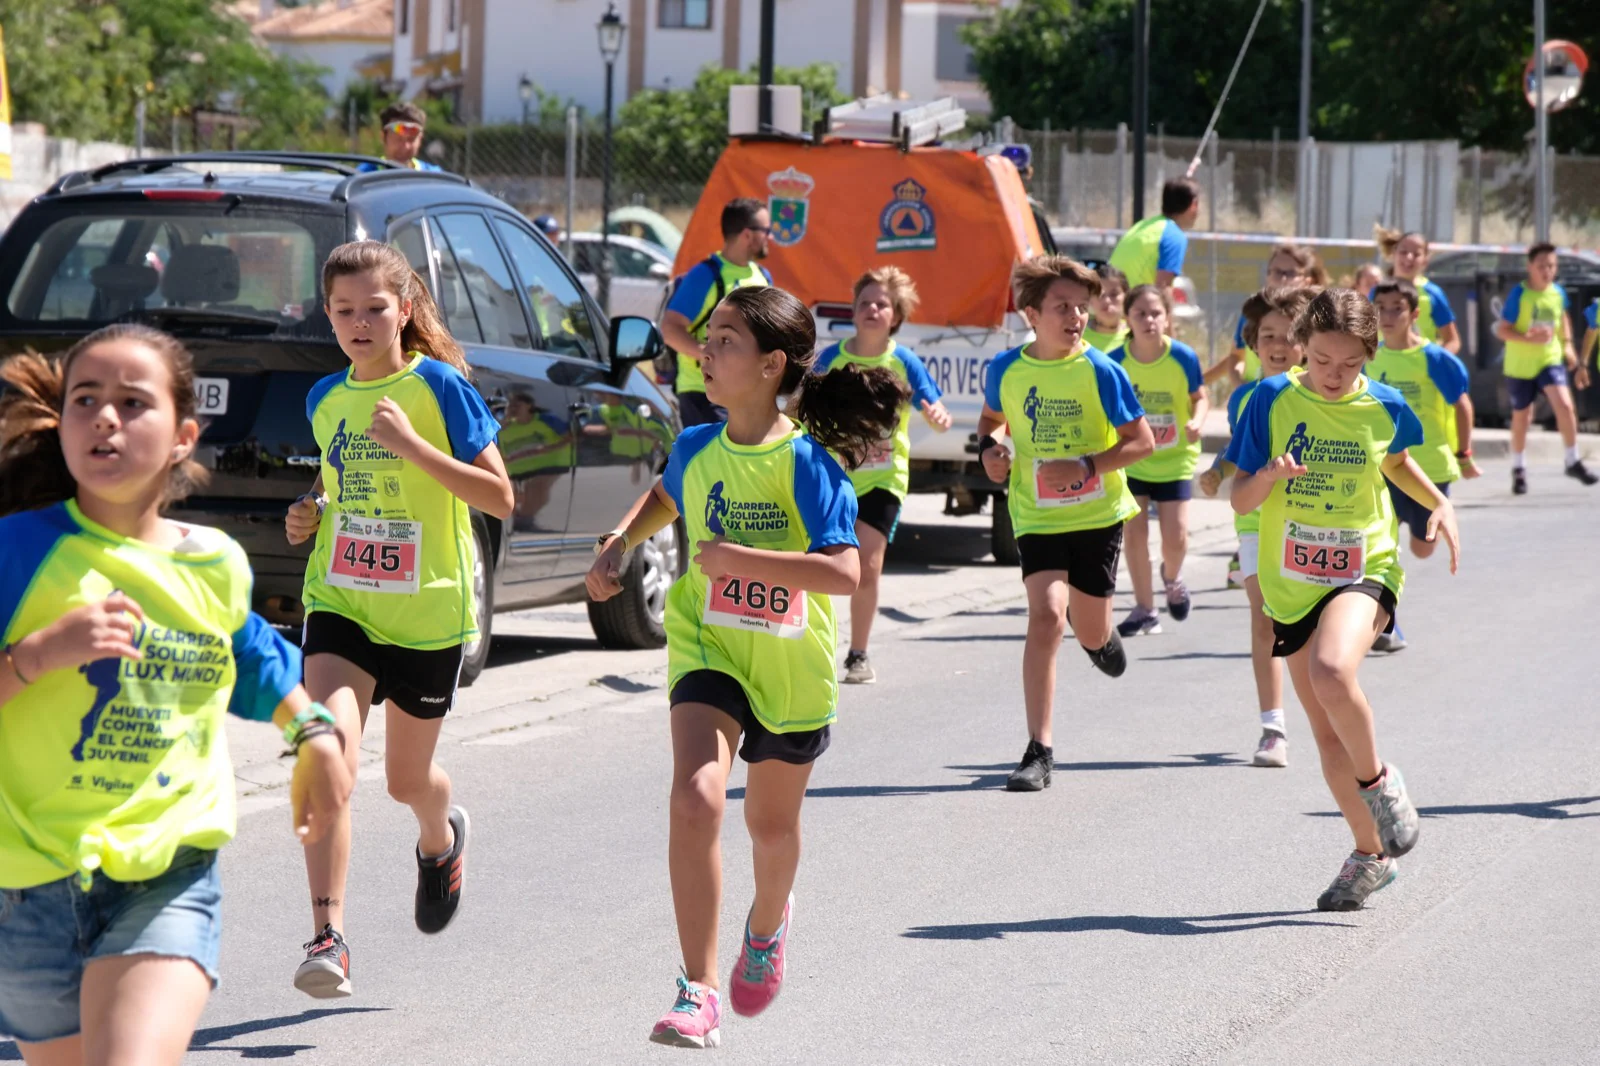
(1270, 331)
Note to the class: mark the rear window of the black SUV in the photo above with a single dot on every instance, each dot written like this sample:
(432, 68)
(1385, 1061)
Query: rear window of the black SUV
(98, 263)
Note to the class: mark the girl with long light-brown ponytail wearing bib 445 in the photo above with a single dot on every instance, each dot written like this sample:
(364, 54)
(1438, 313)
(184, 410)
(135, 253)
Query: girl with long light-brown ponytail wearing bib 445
(407, 451)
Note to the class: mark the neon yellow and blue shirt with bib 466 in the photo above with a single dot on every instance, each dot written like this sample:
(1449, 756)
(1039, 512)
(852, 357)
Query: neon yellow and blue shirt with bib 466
(778, 644)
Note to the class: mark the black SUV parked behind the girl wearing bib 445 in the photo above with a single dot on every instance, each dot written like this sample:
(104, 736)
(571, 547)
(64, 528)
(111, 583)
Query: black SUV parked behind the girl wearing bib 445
(225, 250)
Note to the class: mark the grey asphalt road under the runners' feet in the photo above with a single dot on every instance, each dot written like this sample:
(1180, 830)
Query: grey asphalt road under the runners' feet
(1156, 907)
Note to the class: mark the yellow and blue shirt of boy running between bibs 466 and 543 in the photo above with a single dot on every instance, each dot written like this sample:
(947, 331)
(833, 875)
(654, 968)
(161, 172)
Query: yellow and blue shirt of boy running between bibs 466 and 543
(1062, 409)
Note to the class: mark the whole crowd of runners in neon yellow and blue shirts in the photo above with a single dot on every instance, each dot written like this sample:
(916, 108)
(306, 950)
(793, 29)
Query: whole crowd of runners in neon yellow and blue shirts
(1350, 420)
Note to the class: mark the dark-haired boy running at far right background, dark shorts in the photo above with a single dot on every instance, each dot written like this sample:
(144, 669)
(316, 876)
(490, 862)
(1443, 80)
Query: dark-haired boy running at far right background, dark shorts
(1540, 356)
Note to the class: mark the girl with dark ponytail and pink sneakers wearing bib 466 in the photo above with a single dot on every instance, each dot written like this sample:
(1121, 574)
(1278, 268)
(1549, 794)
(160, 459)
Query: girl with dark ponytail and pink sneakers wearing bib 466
(751, 627)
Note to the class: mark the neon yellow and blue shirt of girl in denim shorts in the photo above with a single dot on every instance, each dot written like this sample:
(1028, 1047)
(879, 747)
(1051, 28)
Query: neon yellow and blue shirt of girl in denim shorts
(116, 764)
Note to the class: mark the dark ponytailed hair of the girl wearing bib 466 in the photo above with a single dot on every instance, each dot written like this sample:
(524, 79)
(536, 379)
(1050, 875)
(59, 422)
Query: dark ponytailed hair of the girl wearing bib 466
(847, 411)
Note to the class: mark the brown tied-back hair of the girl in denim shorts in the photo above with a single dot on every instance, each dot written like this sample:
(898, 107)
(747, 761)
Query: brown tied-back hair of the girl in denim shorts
(33, 468)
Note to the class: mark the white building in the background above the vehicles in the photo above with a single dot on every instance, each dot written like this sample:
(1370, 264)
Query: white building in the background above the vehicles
(484, 49)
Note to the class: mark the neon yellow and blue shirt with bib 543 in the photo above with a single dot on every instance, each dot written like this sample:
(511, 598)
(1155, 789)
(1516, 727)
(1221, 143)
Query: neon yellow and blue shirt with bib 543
(1335, 524)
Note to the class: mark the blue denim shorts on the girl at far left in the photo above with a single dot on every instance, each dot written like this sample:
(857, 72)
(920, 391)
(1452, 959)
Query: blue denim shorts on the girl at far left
(50, 934)
